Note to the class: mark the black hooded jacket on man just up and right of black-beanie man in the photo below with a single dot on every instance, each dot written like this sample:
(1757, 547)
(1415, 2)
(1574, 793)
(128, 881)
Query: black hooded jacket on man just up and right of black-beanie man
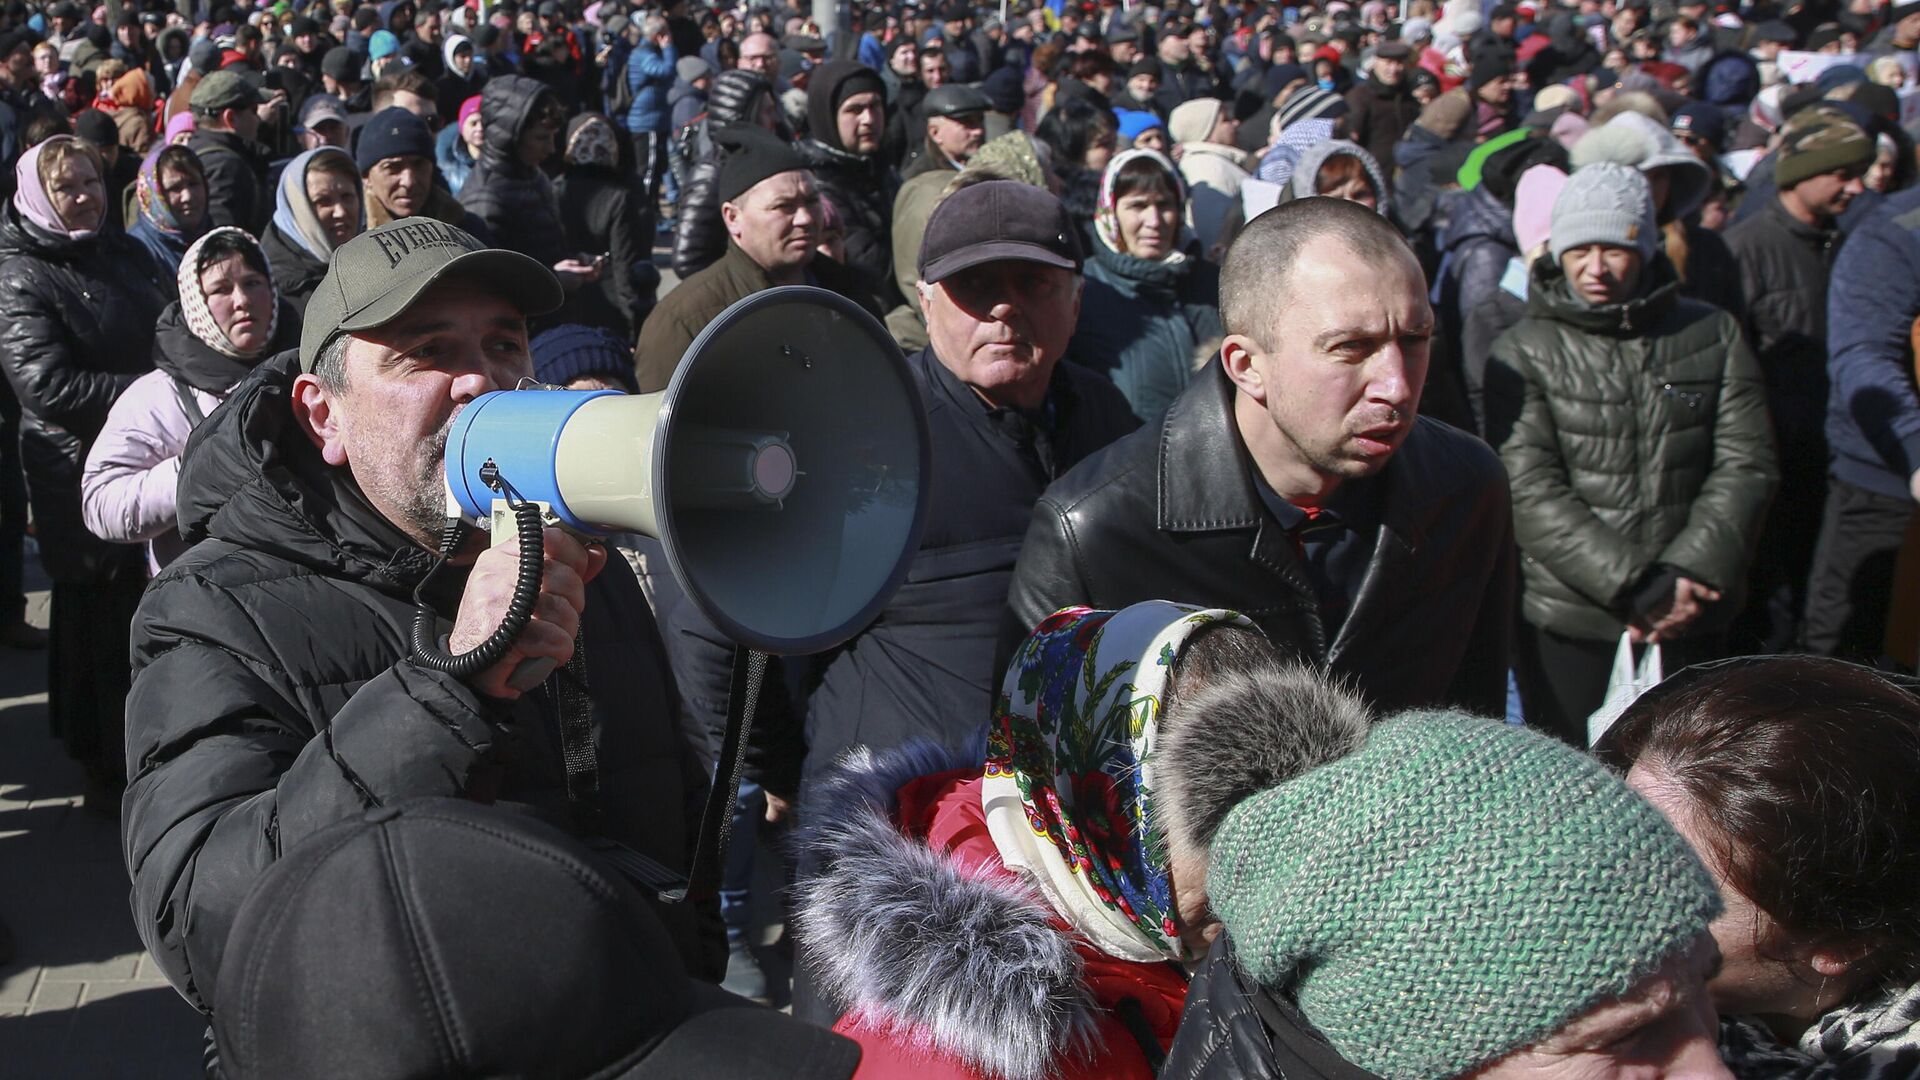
(861, 187)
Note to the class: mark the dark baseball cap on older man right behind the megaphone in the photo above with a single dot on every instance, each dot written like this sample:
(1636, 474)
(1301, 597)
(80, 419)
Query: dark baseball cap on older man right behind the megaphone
(997, 220)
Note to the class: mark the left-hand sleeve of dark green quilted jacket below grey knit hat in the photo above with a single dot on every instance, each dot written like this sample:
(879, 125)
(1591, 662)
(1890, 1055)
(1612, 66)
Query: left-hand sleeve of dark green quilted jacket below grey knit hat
(1552, 524)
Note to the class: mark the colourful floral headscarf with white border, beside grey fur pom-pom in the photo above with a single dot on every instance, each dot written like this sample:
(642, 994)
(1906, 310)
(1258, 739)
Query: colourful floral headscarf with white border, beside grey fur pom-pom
(1070, 775)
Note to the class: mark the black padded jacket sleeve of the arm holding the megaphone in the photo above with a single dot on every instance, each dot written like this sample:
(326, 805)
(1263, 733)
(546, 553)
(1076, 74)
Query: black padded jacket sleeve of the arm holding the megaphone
(226, 766)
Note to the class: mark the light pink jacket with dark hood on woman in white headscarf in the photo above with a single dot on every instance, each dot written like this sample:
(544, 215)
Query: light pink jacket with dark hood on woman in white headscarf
(133, 470)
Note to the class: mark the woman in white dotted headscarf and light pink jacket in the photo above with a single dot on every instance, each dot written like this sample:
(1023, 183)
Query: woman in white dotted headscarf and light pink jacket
(226, 322)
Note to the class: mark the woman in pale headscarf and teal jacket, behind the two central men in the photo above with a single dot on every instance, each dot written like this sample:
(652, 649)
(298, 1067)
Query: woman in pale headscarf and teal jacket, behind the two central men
(1151, 307)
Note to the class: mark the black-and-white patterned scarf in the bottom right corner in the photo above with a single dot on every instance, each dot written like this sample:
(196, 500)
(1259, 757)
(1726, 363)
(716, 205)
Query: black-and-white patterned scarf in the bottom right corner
(1865, 1041)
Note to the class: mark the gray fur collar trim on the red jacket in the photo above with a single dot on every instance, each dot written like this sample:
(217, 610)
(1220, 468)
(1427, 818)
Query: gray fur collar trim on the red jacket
(923, 950)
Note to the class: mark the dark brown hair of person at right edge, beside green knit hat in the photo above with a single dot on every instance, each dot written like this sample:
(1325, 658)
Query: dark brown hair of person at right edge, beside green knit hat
(1804, 772)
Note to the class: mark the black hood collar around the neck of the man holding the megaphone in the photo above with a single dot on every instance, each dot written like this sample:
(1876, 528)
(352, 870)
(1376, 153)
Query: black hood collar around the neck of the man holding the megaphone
(254, 479)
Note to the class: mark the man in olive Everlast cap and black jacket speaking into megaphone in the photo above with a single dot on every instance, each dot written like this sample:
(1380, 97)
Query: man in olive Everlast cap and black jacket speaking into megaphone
(274, 689)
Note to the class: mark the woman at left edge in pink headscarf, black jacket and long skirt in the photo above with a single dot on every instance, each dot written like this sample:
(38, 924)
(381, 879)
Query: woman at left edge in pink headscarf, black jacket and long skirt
(78, 308)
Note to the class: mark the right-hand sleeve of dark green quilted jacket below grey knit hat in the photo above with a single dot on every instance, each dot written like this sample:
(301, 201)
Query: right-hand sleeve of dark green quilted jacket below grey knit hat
(1717, 541)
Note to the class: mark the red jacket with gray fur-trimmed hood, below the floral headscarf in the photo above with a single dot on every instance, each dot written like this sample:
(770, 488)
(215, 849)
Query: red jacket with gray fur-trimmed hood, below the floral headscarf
(911, 887)
